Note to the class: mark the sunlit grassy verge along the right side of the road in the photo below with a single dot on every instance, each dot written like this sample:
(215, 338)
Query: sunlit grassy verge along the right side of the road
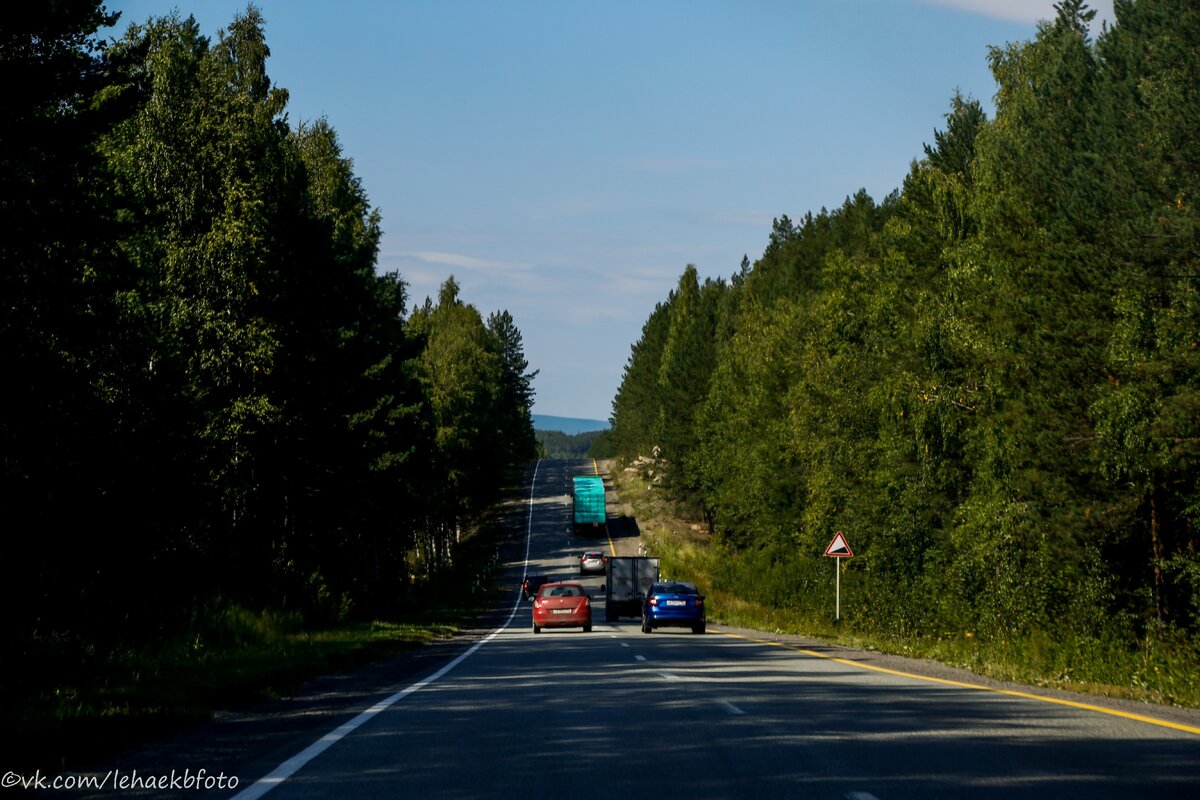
(1162, 670)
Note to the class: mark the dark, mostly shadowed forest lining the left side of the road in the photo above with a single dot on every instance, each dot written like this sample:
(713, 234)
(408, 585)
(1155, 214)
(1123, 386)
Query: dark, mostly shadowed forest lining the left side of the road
(214, 394)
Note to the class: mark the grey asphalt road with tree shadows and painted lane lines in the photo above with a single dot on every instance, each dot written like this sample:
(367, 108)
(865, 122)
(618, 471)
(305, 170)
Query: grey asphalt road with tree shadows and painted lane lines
(617, 714)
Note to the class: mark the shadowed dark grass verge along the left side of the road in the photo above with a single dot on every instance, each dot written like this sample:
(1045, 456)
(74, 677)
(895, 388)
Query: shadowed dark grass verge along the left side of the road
(74, 702)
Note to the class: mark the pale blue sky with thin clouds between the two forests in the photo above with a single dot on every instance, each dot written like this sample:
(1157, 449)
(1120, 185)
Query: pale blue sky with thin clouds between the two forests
(567, 160)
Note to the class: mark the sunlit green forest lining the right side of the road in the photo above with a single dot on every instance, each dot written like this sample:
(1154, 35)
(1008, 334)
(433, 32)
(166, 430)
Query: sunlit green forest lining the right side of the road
(989, 380)
